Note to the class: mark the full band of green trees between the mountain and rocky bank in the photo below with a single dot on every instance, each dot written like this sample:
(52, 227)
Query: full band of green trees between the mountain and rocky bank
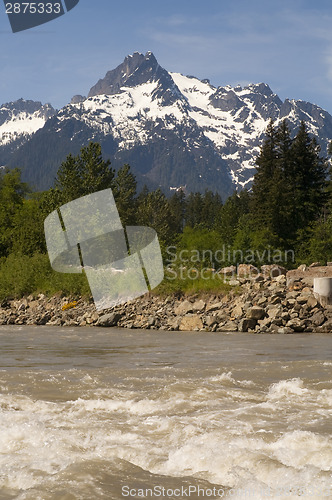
(288, 207)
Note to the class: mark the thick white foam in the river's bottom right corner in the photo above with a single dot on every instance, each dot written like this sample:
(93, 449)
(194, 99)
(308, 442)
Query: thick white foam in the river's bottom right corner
(234, 461)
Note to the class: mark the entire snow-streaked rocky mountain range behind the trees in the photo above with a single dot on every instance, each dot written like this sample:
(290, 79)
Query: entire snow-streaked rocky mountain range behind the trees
(173, 130)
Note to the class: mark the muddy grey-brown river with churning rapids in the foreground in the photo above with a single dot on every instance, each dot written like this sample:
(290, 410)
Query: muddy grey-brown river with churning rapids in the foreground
(89, 413)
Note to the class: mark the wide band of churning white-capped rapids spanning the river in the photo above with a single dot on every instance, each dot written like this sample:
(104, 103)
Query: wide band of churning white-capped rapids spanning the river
(219, 428)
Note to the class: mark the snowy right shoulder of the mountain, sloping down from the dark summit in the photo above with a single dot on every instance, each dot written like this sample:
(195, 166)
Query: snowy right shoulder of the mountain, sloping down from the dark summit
(235, 119)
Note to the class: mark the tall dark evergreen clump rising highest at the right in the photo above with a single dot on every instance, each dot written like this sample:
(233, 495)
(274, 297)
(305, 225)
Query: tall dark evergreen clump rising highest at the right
(289, 189)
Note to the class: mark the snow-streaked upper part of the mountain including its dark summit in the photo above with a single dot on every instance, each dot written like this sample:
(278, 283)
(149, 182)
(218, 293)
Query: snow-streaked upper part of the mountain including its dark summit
(233, 119)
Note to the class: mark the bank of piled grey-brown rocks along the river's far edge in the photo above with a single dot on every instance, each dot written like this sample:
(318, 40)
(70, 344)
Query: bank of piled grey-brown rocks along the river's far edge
(261, 303)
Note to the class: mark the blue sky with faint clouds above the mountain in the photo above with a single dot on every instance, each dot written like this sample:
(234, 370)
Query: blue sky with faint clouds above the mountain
(287, 44)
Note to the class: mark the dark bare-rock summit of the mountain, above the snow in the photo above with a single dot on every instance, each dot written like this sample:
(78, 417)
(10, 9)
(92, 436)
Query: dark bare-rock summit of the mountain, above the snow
(136, 69)
